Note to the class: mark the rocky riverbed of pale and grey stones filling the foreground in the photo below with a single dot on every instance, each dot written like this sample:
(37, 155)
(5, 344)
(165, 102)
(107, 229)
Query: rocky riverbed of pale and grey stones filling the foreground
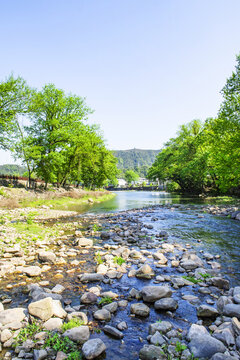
(110, 287)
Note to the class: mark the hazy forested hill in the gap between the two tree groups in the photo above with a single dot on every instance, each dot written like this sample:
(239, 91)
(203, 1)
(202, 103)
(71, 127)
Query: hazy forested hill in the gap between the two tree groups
(135, 159)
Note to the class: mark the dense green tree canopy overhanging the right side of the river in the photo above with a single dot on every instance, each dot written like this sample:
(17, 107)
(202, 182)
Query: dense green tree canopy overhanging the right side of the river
(206, 156)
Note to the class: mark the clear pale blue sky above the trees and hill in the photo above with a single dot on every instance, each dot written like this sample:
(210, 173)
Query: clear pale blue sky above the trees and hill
(144, 66)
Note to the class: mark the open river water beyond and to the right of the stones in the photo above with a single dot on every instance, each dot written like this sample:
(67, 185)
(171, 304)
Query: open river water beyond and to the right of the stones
(188, 224)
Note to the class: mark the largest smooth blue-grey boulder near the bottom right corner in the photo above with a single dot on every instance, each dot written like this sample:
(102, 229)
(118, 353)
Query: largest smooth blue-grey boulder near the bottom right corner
(205, 346)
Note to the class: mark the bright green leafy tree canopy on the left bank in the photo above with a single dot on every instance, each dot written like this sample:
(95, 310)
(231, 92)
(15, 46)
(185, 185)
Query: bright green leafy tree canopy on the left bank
(55, 143)
